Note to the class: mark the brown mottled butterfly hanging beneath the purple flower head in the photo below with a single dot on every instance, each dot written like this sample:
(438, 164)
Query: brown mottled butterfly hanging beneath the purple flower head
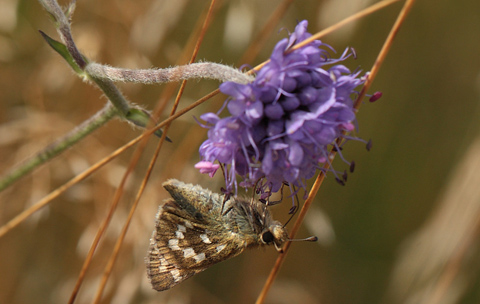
(198, 228)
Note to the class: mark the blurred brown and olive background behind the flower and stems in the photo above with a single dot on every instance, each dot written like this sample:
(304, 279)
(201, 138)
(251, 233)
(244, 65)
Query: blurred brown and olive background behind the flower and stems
(404, 229)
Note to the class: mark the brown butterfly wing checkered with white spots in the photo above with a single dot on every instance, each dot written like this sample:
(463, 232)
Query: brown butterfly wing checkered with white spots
(183, 245)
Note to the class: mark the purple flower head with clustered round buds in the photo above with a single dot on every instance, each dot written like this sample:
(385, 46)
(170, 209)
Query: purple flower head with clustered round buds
(282, 123)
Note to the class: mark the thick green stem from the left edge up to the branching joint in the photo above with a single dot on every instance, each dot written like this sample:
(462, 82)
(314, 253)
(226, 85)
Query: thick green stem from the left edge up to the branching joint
(60, 145)
